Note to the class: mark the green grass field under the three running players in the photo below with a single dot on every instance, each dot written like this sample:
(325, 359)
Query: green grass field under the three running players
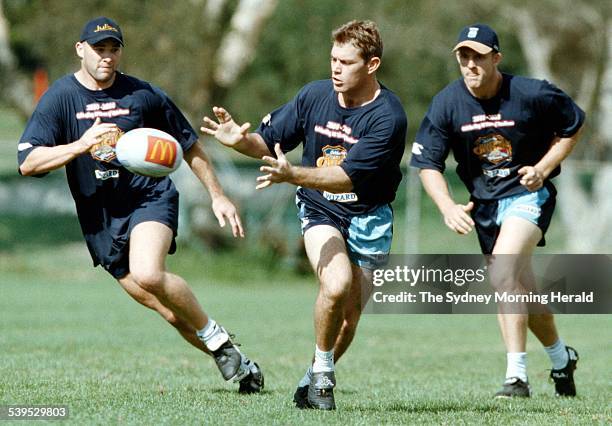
(70, 336)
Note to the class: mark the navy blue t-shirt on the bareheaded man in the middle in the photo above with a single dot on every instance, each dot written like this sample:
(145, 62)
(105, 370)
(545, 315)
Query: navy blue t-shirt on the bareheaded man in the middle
(367, 142)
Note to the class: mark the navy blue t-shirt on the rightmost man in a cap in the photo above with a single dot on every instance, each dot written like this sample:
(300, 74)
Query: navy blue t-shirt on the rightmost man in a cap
(492, 139)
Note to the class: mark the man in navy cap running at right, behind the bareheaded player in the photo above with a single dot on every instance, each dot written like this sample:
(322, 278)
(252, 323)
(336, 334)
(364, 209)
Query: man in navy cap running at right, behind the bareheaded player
(509, 135)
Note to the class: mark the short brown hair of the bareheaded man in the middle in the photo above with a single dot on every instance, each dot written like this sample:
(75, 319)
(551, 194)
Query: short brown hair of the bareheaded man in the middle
(363, 35)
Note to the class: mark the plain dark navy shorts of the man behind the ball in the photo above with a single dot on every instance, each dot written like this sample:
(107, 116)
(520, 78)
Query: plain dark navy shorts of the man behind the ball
(110, 247)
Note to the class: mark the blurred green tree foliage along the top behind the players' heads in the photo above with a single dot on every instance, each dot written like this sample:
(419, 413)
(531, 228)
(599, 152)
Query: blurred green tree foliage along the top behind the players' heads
(175, 45)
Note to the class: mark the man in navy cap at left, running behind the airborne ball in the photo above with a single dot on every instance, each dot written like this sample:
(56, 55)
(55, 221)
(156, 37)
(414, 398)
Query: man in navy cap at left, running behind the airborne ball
(129, 221)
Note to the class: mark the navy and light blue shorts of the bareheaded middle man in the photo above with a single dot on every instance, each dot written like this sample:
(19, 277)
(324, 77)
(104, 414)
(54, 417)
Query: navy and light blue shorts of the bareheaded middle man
(368, 236)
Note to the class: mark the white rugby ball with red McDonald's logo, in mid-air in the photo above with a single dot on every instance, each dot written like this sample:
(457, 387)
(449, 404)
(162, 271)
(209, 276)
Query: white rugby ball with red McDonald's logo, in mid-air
(149, 152)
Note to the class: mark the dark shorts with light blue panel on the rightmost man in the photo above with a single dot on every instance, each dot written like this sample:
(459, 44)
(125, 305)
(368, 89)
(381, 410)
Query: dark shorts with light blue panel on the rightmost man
(536, 207)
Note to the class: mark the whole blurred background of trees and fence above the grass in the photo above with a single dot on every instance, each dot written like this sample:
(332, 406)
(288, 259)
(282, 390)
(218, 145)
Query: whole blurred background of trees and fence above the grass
(253, 55)
